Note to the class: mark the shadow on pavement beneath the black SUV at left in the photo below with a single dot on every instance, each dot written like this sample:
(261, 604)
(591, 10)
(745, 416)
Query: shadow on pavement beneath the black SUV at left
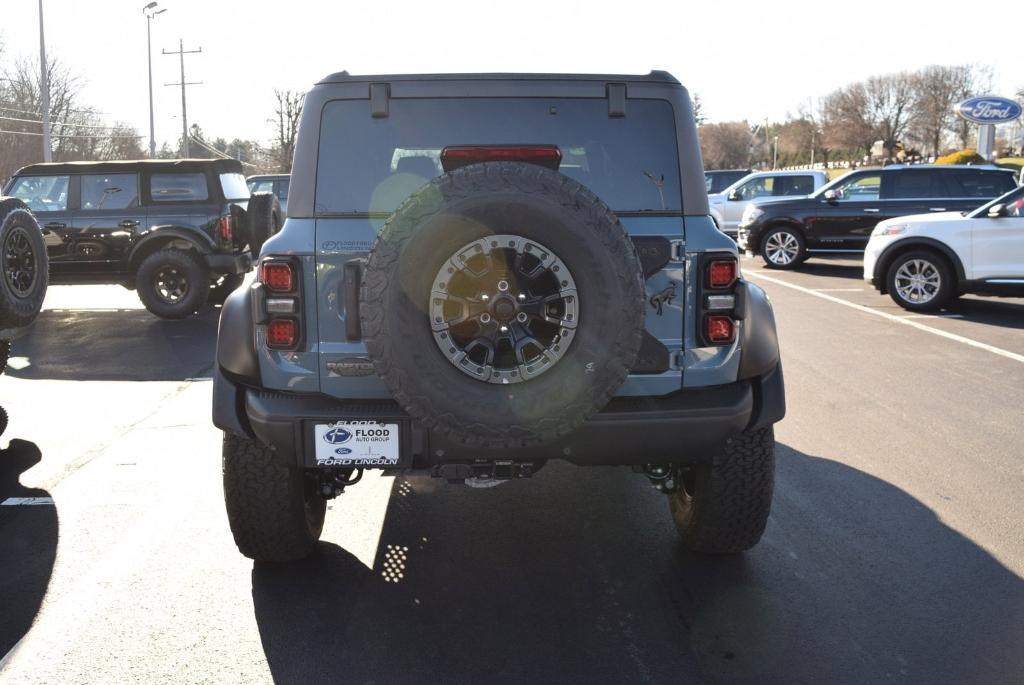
(116, 346)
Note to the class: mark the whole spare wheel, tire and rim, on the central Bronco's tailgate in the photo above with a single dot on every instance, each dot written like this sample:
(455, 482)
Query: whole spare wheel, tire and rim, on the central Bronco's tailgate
(503, 305)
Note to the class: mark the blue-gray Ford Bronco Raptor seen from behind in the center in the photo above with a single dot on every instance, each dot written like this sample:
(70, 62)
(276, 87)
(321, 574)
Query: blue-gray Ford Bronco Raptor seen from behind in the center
(479, 274)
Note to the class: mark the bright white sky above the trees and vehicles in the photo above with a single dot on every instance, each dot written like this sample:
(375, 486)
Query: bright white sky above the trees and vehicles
(746, 60)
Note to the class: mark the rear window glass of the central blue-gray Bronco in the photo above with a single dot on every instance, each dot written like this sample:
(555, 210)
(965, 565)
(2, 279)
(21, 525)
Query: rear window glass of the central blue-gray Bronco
(372, 165)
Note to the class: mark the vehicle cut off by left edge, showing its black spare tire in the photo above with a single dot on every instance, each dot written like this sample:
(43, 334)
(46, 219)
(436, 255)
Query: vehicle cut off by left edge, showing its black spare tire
(23, 277)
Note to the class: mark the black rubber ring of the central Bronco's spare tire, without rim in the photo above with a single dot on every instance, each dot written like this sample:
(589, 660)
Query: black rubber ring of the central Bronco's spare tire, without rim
(470, 204)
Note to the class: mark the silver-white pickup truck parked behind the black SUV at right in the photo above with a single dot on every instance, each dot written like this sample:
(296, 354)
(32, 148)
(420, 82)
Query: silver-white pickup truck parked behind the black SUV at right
(728, 207)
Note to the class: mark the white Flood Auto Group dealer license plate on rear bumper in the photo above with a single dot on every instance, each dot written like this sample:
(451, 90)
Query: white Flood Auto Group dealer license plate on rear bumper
(357, 444)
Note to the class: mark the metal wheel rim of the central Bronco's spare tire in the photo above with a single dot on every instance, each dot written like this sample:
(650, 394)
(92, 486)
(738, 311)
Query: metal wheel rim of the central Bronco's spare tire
(504, 310)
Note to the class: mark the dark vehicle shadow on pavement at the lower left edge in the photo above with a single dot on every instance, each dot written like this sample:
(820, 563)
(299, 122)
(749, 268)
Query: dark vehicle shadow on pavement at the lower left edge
(28, 545)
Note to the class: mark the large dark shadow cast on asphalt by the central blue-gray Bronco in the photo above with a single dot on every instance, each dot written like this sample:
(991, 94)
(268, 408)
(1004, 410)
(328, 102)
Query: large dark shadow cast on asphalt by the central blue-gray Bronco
(578, 577)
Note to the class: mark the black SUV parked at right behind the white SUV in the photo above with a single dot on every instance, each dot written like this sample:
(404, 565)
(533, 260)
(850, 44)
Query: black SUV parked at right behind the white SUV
(840, 217)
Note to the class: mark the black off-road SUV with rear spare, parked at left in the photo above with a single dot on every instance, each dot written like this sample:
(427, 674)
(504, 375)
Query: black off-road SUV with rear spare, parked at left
(181, 232)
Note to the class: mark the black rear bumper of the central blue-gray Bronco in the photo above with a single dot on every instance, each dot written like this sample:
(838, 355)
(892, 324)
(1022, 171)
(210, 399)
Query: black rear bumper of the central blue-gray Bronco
(689, 426)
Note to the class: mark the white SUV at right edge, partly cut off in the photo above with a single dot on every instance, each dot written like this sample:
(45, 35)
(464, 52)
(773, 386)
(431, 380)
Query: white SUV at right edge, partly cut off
(925, 261)
